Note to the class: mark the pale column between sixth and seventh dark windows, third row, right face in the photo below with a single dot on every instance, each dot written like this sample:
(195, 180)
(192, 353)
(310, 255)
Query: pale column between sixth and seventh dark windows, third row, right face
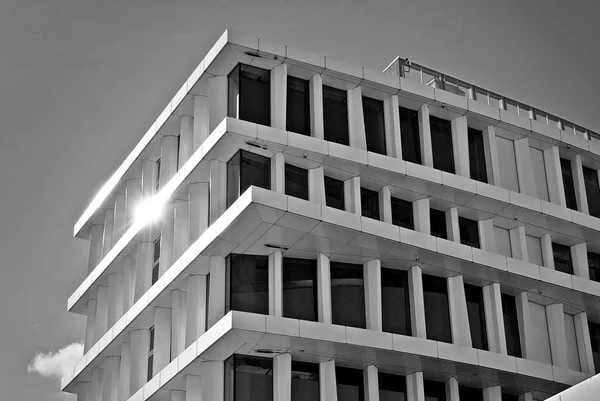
(494, 320)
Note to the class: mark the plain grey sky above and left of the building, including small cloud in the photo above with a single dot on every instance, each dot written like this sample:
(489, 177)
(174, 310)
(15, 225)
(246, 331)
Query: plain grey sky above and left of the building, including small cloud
(82, 80)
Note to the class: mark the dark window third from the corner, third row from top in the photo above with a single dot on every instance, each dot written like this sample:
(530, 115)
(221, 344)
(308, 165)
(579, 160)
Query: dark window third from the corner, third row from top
(347, 295)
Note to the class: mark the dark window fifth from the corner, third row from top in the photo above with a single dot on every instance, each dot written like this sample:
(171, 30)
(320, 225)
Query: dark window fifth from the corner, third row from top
(437, 312)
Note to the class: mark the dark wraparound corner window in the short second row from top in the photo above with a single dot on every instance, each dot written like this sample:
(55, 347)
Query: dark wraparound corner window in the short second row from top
(245, 169)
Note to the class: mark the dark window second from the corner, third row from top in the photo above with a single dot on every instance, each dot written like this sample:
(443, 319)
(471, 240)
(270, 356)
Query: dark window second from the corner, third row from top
(300, 288)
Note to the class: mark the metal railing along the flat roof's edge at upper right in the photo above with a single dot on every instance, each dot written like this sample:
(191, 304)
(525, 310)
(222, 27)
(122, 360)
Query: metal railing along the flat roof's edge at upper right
(424, 75)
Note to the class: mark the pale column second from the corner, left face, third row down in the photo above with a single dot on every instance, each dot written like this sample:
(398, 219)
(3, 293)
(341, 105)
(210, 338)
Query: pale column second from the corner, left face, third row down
(196, 308)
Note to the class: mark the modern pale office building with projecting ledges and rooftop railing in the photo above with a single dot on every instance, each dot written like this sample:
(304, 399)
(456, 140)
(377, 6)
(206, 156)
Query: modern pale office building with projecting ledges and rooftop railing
(333, 232)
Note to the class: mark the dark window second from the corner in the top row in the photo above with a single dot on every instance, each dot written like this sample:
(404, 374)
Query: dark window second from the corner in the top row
(298, 106)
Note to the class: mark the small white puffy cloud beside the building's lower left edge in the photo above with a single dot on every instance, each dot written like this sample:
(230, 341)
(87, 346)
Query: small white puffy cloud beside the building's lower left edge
(56, 364)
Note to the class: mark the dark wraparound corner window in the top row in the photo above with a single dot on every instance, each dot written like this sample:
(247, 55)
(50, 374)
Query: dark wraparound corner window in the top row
(250, 94)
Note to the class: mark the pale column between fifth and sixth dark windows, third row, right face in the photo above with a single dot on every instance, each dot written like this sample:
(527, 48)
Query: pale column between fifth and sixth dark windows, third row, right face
(459, 318)
